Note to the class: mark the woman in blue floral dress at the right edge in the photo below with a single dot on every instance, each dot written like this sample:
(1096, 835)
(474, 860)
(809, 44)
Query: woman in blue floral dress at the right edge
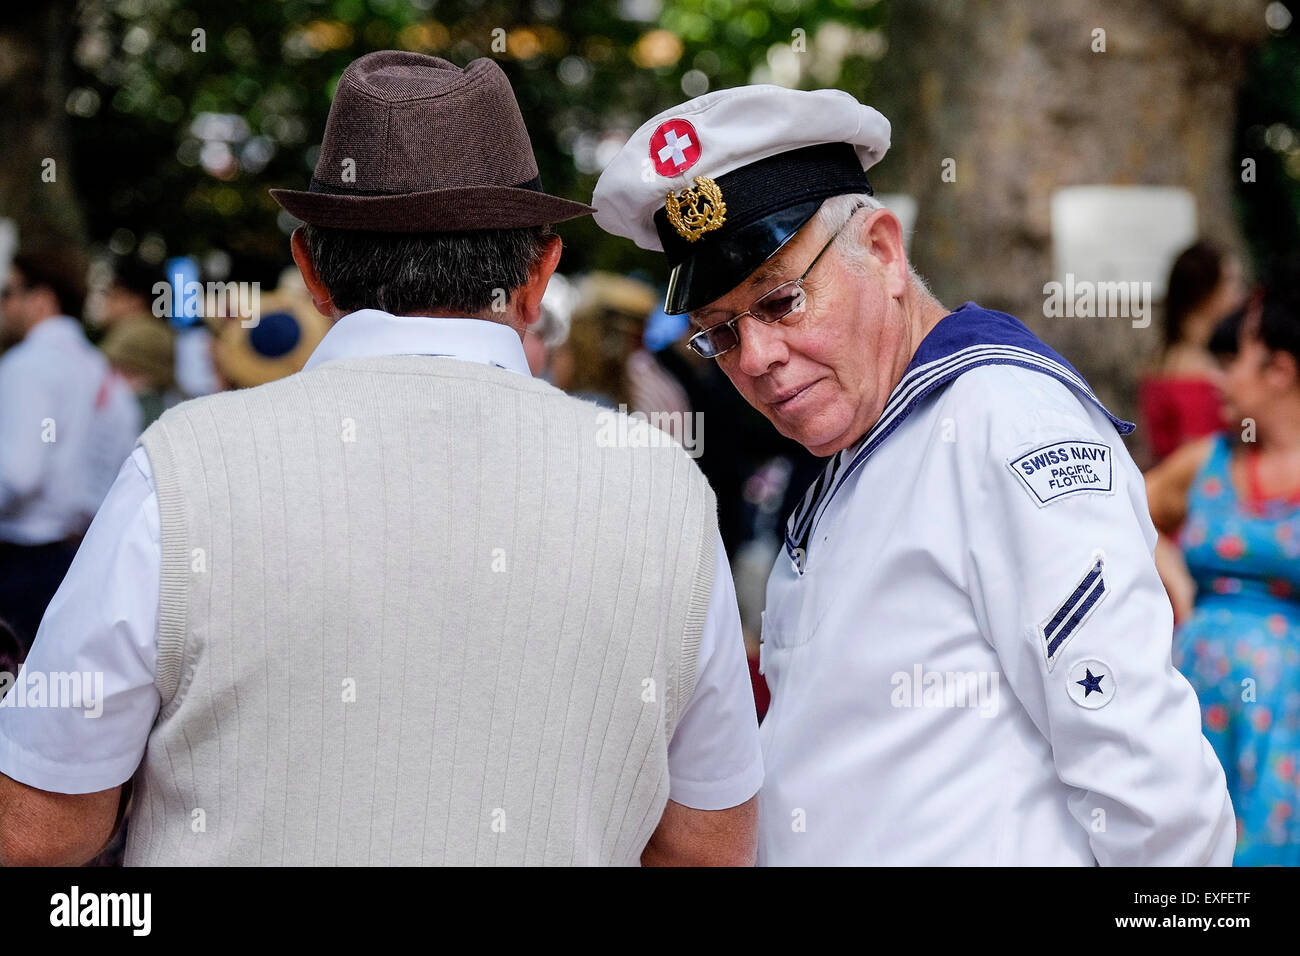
(1238, 503)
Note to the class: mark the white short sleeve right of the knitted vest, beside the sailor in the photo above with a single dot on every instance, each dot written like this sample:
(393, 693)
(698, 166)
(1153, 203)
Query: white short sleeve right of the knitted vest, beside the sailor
(714, 758)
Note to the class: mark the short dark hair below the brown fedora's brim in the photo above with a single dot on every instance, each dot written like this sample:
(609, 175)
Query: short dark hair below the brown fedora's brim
(417, 274)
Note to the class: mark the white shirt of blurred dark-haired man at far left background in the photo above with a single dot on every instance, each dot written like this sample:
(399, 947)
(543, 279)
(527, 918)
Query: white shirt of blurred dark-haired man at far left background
(67, 422)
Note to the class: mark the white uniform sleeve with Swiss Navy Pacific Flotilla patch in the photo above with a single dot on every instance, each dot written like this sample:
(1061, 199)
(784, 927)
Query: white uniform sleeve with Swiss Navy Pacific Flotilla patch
(1059, 550)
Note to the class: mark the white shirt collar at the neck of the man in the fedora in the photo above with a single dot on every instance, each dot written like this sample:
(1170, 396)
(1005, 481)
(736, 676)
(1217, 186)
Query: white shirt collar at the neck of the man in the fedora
(369, 334)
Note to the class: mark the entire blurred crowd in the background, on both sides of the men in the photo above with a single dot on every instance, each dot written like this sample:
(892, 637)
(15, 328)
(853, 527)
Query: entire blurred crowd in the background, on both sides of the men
(1220, 435)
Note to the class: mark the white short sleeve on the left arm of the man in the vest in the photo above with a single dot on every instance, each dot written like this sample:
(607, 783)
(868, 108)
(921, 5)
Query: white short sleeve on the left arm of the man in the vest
(79, 716)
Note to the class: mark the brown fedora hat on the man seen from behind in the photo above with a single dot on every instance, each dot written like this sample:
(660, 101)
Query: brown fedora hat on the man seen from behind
(415, 144)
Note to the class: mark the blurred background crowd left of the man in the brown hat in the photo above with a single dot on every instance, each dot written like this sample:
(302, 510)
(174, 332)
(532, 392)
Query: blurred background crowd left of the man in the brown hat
(96, 367)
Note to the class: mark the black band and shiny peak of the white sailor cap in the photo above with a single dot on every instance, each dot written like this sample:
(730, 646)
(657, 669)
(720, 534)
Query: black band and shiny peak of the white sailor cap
(768, 202)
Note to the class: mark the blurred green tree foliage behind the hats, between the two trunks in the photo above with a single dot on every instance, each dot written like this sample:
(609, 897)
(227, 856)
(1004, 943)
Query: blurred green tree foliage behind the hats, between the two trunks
(183, 115)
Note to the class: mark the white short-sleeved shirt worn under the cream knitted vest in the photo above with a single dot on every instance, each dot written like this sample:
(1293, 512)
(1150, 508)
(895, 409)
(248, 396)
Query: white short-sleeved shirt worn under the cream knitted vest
(106, 617)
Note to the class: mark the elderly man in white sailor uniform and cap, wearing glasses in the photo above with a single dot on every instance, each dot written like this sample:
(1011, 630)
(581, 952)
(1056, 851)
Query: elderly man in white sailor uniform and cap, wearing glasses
(967, 639)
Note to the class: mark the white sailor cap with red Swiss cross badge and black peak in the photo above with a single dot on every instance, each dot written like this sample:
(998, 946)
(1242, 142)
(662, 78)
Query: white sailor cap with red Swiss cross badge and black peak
(723, 181)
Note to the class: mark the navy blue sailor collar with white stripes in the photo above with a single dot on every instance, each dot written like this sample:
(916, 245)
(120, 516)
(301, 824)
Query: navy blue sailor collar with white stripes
(961, 341)
